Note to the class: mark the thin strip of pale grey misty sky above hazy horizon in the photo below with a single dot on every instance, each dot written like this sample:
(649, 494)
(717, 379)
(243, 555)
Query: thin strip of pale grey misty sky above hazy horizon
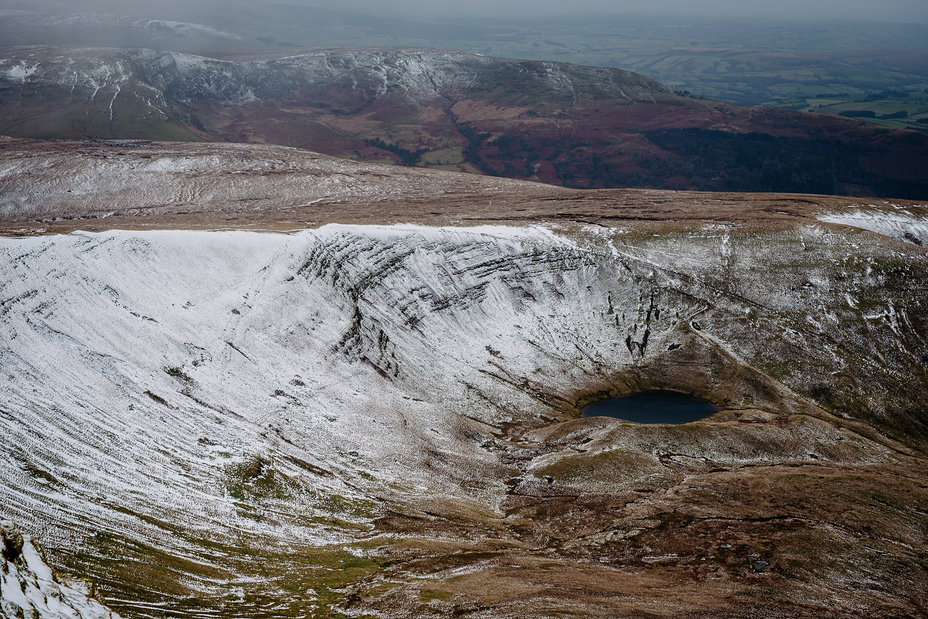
(882, 10)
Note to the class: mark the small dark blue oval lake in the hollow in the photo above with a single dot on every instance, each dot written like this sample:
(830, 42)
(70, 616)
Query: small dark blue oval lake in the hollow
(652, 407)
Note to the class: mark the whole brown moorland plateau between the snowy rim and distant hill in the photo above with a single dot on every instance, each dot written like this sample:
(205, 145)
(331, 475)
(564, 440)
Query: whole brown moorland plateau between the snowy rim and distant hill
(62, 186)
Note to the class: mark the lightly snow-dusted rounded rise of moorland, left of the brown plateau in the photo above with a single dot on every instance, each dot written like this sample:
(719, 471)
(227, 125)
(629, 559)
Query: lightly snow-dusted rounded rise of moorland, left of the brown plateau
(80, 180)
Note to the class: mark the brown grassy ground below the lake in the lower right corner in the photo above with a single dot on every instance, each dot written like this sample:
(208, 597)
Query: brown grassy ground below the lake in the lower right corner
(683, 538)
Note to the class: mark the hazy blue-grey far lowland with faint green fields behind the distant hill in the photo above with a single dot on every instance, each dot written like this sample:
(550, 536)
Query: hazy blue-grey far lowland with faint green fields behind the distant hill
(800, 65)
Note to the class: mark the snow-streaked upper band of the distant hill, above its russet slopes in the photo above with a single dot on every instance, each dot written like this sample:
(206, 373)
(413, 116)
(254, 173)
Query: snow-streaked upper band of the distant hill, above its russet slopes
(152, 77)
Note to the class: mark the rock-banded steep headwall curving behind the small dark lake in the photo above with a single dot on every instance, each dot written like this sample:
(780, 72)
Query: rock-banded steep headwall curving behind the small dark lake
(709, 311)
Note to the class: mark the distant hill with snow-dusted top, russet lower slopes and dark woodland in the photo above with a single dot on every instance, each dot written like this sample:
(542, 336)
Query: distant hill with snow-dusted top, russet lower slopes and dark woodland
(553, 122)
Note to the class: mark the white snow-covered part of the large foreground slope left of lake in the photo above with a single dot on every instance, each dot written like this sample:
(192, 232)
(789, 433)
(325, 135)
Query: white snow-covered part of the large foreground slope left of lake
(141, 365)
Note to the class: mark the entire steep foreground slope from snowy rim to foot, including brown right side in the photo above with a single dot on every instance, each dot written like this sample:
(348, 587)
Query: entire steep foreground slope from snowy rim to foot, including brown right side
(168, 386)
